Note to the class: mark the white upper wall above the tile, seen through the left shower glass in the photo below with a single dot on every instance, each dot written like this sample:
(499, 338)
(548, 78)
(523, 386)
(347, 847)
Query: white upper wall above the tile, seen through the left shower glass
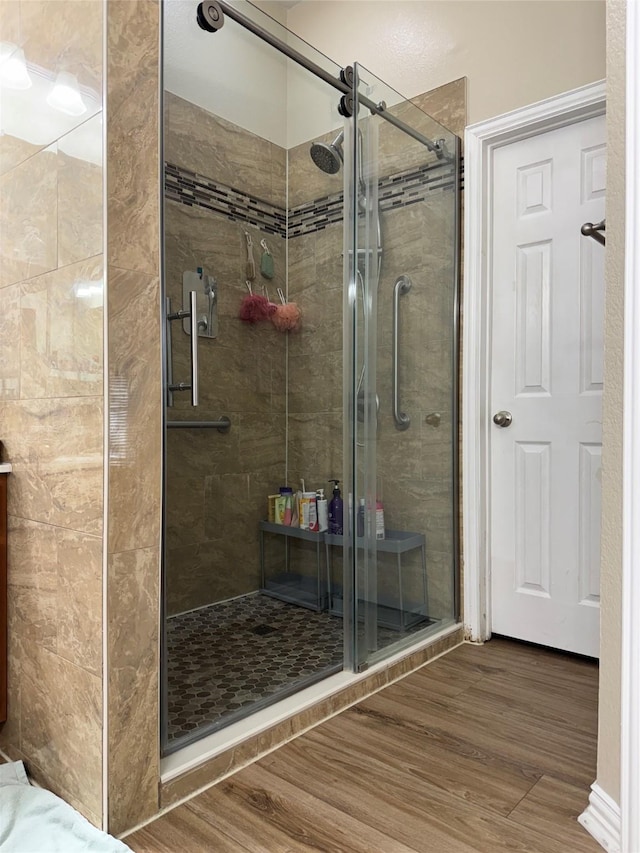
(233, 74)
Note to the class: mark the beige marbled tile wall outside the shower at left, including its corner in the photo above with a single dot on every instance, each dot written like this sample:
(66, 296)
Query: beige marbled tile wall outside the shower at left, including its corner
(52, 412)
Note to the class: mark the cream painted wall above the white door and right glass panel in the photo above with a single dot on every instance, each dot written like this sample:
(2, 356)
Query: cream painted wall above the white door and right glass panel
(513, 52)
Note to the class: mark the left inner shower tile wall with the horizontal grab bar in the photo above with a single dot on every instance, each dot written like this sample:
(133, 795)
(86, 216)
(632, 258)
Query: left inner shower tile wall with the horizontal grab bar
(222, 181)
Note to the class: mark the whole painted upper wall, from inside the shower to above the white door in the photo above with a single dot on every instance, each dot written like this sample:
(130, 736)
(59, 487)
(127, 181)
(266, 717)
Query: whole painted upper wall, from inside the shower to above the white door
(513, 52)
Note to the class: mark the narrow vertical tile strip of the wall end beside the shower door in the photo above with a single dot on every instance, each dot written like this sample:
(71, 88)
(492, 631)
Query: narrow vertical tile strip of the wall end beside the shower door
(135, 409)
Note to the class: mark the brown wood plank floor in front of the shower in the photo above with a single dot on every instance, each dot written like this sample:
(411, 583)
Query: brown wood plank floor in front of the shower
(491, 749)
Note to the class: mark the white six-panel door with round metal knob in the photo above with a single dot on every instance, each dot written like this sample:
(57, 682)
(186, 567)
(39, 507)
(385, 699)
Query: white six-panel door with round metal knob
(546, 371)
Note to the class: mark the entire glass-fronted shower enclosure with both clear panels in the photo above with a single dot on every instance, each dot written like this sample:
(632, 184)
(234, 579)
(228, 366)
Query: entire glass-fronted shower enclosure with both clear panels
(292, 182)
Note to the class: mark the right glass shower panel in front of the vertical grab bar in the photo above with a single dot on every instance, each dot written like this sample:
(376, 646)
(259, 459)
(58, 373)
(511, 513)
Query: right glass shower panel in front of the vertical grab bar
(402, 309)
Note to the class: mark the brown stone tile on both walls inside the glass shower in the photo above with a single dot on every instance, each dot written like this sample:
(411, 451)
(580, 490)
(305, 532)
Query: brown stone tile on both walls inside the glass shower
(210, 473)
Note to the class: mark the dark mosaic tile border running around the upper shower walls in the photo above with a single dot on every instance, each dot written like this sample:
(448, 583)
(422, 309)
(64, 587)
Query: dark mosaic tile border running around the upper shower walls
(399, 190)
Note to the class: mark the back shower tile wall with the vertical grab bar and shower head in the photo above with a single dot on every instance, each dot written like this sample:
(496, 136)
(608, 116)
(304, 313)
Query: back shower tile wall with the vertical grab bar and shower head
(414, 467)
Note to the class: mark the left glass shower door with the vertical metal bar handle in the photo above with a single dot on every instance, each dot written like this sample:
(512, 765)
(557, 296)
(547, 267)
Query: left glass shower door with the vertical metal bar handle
(253, 201)
